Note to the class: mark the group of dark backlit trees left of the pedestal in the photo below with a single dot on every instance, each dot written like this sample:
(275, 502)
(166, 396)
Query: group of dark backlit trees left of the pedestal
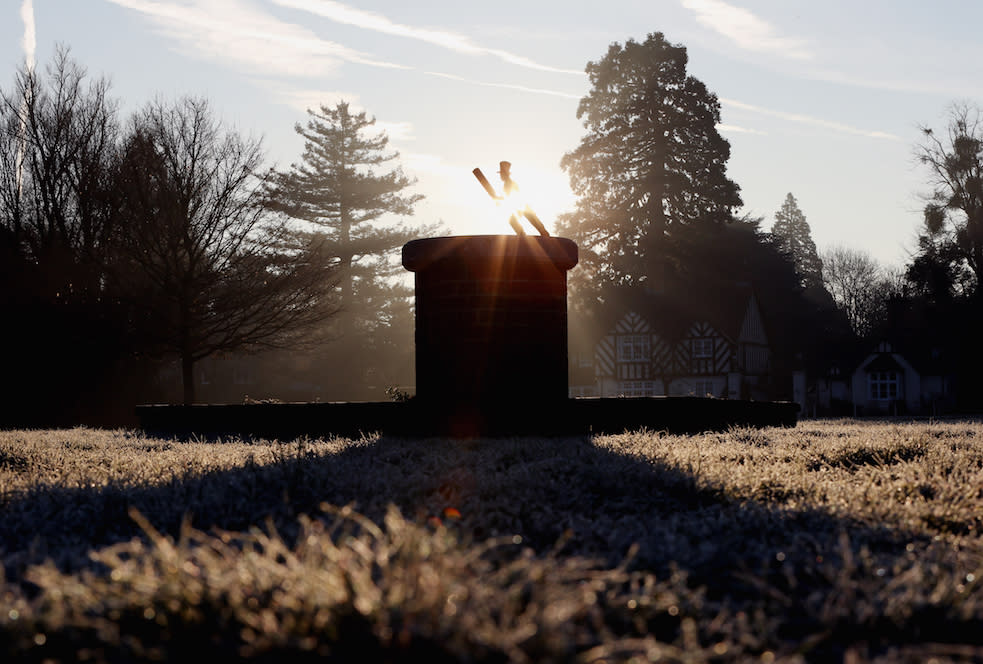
(134, 251)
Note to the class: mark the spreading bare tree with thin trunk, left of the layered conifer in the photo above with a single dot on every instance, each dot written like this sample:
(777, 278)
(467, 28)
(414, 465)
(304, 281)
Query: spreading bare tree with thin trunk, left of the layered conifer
(207, 268)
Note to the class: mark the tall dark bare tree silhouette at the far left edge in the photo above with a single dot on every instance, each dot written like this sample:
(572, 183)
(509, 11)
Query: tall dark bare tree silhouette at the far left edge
(58, 136)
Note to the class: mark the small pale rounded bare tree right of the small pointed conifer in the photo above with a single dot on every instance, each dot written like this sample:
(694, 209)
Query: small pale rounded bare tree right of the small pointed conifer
(859, 285)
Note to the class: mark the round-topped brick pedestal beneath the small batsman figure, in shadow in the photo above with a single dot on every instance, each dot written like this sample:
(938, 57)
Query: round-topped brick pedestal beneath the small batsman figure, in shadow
(491, 326)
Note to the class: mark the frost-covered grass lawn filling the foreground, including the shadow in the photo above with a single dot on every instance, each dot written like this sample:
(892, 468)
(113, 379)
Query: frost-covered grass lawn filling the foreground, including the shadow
(833, 541)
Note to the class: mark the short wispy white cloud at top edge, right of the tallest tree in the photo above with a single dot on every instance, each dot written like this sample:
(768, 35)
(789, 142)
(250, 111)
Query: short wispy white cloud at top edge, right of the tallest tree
(745, 29)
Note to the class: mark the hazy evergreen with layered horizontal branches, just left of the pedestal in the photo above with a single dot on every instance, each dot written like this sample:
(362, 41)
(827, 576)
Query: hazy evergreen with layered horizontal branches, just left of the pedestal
(349, 189)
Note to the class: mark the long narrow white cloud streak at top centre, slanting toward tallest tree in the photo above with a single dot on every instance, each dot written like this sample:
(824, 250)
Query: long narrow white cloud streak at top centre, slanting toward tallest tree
(341, 13)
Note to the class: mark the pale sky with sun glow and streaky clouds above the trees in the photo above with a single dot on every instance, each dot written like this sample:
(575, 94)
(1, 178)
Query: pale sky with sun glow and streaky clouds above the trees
(823, 100)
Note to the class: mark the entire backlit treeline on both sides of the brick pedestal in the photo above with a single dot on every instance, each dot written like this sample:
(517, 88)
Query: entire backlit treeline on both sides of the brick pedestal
(140, 257)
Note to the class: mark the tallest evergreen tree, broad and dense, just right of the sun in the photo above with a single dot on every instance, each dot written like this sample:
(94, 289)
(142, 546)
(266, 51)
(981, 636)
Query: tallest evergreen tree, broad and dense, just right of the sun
(652, 159)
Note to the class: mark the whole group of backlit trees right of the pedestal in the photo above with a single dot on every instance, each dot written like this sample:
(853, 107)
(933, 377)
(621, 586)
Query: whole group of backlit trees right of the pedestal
(656, 213)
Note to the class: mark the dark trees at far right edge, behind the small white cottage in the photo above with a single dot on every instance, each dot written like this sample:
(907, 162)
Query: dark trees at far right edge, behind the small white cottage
(933, 305)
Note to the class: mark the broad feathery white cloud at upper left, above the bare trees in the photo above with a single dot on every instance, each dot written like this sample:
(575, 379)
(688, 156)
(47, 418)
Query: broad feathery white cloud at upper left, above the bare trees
(233, 32)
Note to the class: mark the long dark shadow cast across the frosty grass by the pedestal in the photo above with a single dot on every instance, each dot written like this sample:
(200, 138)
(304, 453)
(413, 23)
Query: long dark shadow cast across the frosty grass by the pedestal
(597, 502)
